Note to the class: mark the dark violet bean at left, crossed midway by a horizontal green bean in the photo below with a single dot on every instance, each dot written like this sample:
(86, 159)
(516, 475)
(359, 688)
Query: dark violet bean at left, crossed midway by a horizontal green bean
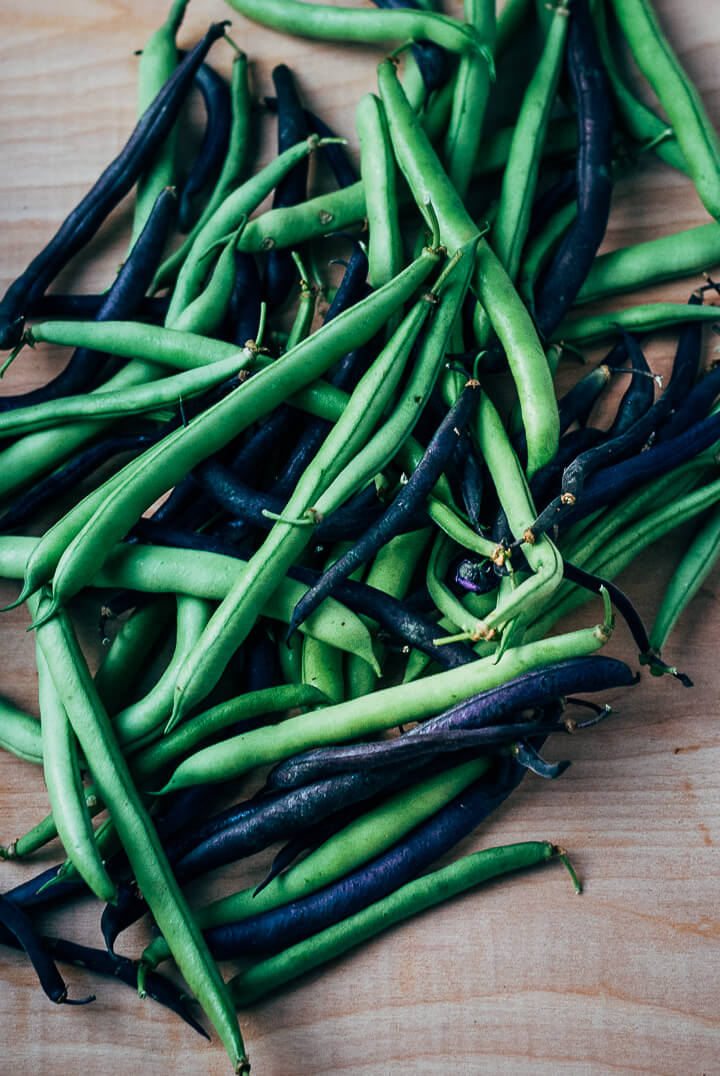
(122, 302)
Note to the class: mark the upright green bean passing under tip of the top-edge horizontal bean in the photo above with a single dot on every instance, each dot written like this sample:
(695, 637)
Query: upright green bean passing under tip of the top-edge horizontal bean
(470, 100)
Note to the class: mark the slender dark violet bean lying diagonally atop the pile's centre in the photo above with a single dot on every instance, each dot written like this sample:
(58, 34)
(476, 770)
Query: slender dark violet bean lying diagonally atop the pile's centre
(408, 501)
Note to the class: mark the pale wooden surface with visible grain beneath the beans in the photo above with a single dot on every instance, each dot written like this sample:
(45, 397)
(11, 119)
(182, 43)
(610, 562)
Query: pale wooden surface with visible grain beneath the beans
(524, 978)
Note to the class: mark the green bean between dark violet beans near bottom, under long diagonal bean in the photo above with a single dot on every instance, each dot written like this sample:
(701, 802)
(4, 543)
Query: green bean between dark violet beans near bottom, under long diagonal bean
(364, 839)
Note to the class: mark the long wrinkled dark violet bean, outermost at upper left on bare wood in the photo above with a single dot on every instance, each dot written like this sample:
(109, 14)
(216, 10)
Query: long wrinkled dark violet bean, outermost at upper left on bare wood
(115, 182)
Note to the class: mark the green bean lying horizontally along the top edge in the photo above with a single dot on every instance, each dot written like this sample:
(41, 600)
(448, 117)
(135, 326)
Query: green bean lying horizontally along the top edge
(326, 23)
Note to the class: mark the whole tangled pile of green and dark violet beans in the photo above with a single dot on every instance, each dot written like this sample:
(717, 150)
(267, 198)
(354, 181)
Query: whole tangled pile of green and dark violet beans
(350, 495)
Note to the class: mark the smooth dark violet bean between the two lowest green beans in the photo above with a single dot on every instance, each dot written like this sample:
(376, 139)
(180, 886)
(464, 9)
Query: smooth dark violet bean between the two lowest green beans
(285, 927)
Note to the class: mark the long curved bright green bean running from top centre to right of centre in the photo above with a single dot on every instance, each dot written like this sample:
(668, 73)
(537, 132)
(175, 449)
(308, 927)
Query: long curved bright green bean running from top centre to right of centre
(510, 318)
